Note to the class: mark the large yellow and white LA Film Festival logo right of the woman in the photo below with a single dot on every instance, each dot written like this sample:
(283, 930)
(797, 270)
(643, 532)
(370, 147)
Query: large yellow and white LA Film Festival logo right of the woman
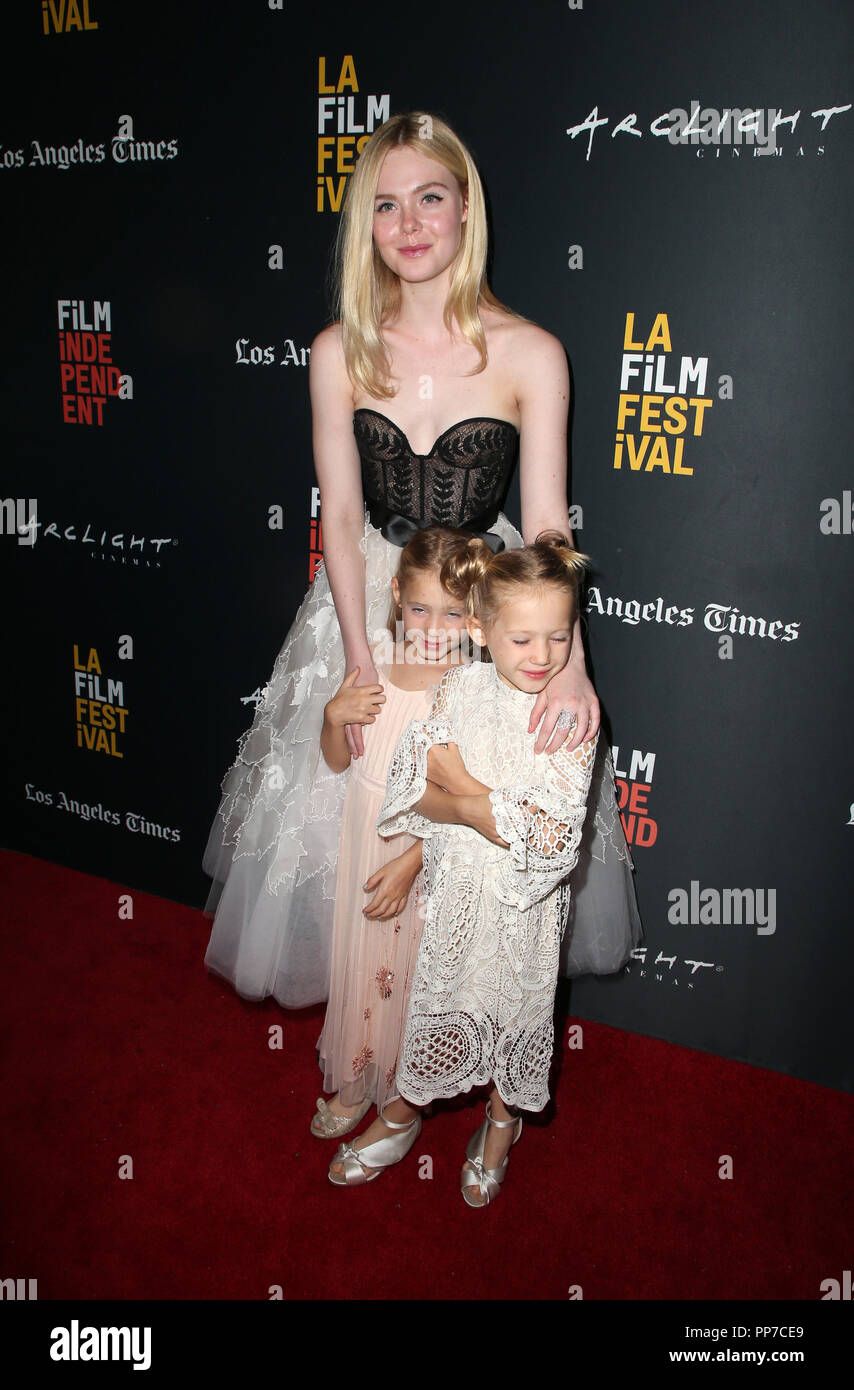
(656, 415)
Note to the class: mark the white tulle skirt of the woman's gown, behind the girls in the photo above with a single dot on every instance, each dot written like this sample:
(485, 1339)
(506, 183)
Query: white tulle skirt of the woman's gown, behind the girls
(273, 847)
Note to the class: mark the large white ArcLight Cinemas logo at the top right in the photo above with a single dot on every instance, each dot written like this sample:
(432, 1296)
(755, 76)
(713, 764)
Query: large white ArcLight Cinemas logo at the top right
(709, 131)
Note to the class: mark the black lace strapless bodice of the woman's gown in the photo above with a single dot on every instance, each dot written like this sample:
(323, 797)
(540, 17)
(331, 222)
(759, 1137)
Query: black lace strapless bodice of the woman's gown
(462, 479)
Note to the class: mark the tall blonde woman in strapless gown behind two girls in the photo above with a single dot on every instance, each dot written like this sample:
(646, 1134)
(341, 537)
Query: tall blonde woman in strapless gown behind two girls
(425, 393)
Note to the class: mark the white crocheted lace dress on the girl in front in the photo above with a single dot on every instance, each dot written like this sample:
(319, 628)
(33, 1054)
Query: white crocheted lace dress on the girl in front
(485, 985)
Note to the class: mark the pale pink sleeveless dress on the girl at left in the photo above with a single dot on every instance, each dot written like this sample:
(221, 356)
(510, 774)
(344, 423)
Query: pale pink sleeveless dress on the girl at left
(372, 963)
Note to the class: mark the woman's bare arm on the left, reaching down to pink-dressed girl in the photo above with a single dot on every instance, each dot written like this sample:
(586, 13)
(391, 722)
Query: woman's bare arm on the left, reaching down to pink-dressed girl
(343, 507)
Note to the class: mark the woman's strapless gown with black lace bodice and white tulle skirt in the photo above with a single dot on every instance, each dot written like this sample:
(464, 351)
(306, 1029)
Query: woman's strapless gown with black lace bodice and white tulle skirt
(273, 847)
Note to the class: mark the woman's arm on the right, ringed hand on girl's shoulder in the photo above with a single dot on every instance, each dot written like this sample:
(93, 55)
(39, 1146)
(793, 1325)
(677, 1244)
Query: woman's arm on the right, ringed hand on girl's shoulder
(543, 395)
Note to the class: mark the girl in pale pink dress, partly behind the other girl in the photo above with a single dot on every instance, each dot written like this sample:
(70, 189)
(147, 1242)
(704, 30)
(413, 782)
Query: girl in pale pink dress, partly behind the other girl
(376, 918)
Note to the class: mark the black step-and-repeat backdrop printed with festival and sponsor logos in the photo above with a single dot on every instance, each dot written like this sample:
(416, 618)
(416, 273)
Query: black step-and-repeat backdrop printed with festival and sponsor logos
(670, 194)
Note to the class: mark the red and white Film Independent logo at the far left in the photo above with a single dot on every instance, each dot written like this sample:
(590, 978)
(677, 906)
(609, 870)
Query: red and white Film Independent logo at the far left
(88, 375)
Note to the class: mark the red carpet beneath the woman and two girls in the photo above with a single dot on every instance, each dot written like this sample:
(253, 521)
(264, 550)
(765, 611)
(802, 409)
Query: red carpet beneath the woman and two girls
(118, 1043)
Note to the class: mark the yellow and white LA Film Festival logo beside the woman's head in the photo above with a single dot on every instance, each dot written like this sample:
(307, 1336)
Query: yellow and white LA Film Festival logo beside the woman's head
(346, 122)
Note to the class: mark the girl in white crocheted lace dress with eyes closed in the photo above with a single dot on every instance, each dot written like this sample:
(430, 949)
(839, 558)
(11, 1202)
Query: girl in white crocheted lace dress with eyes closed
(501, 829)
